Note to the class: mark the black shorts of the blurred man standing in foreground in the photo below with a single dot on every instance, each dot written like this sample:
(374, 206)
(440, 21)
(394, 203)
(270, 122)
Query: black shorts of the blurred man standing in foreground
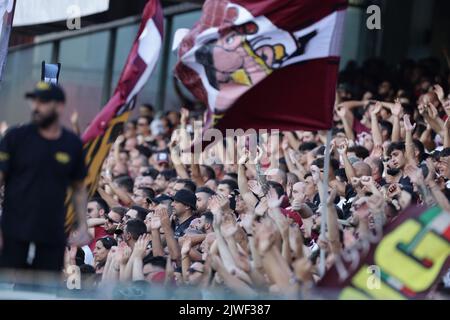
(47, 257)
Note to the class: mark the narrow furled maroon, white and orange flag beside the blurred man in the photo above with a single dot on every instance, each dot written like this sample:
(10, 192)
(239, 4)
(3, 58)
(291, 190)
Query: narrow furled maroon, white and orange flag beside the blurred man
(108, 124)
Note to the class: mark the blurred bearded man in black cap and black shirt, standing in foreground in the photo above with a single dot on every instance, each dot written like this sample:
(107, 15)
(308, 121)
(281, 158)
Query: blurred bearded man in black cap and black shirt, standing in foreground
(38, 162)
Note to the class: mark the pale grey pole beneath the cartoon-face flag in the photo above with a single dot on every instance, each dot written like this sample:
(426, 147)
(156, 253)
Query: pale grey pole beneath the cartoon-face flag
(323, 222)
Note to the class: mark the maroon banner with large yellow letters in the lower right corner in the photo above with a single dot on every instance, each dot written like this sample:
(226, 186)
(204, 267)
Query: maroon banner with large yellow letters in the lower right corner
(407, 263)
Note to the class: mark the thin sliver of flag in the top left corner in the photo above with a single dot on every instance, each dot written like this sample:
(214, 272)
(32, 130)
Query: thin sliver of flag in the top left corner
(6, 18)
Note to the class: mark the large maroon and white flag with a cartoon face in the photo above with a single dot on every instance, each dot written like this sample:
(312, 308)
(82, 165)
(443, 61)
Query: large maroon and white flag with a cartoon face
(267, 64)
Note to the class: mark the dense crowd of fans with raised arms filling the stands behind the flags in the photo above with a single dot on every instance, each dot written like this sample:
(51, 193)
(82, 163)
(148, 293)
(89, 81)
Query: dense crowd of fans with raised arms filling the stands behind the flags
(253, 224)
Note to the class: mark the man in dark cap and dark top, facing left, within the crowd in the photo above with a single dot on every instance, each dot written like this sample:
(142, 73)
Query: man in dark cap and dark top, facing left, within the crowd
(183, 205)
